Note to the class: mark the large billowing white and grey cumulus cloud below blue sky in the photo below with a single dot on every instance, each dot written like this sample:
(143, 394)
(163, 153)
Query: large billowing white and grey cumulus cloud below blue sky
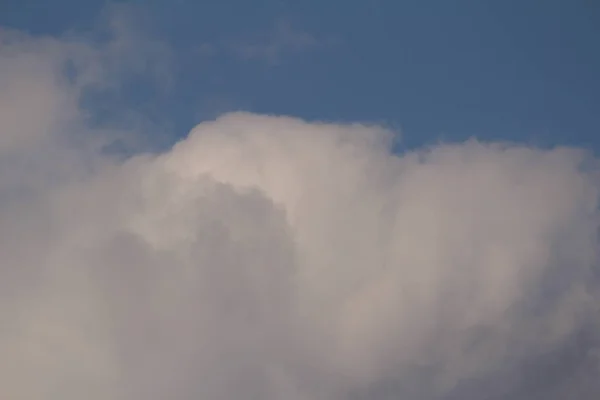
(273, 258)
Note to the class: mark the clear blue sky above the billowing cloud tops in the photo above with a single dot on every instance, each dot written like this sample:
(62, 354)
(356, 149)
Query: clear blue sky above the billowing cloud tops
(510, 70)
